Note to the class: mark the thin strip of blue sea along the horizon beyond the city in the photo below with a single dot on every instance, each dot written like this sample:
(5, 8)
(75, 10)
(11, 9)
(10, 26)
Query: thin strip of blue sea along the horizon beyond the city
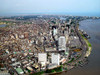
(53, 13)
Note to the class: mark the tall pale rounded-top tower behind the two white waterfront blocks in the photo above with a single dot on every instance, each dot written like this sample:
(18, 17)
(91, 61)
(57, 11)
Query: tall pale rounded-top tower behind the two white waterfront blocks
(62, 43)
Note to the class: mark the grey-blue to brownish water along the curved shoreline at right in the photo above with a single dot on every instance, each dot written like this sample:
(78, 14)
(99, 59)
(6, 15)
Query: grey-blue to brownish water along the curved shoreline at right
(92, 27)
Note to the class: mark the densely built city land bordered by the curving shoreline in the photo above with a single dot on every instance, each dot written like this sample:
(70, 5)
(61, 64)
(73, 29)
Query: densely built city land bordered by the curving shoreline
(42, 44)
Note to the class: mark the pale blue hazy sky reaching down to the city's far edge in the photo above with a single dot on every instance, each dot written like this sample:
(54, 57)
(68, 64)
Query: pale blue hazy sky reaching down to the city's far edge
(8, 7)
